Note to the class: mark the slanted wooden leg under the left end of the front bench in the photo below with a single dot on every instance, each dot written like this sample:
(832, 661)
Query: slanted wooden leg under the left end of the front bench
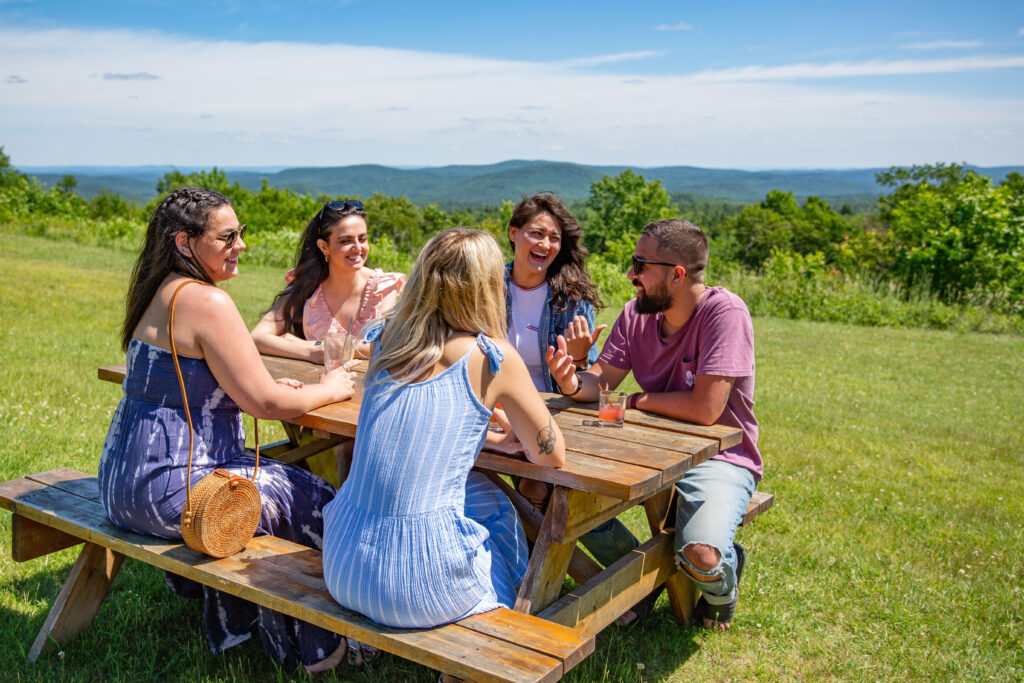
(80, 597)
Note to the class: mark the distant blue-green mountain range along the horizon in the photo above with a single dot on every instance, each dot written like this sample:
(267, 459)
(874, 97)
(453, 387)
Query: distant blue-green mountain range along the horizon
(490, 185)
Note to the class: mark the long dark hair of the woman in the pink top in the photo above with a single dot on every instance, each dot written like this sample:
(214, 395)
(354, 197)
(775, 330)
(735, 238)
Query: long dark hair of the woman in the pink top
(311, 269)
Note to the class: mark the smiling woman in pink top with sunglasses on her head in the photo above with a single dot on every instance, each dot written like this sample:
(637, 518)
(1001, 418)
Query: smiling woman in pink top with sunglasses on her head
(331, 286)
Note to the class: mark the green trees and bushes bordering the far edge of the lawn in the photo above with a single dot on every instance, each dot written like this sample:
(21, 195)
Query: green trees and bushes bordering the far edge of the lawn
(944, 232)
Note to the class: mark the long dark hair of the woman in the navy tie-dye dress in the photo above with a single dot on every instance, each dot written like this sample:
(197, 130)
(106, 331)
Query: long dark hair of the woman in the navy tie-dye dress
(187, 210)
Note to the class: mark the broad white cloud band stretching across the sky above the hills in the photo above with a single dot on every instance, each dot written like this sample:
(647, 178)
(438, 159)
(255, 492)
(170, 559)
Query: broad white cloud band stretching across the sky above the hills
(234, 104)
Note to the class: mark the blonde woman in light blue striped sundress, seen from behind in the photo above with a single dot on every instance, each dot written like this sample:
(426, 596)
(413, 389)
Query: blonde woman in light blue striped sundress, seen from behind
(413, 538)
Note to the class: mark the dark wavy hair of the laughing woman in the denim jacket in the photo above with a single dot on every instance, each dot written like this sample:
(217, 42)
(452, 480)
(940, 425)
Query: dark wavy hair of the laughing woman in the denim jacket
(568, 277)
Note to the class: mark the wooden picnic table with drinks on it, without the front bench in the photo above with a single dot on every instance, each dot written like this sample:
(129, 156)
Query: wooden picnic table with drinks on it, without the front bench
(608, 472)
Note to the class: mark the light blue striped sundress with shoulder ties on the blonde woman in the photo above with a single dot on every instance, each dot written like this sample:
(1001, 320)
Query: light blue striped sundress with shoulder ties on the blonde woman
(414, 539)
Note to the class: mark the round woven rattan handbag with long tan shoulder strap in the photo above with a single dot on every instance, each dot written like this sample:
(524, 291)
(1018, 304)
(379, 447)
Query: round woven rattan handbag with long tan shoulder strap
(222, 514)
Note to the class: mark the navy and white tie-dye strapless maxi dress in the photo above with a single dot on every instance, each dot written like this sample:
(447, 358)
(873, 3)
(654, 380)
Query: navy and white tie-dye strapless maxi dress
(143, 488)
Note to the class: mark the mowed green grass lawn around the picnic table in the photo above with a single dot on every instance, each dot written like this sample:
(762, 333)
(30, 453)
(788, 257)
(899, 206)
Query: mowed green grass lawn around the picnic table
(894, 550)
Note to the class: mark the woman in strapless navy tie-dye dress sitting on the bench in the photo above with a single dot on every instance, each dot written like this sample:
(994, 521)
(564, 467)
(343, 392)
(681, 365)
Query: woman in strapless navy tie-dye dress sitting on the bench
(195, 236)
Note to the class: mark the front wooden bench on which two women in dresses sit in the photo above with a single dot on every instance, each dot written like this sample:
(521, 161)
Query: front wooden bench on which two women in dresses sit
(61, 508)
